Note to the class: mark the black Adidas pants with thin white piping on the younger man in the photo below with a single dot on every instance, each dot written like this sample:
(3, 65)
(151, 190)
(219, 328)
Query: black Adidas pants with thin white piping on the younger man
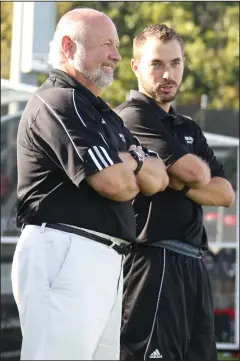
(167, 308)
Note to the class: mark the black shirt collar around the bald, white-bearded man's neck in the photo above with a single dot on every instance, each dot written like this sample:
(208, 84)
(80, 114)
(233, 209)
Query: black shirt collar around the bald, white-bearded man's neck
(69, 81)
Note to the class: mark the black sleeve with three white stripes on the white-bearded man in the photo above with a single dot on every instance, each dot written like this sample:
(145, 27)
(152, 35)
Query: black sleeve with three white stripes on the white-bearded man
(72, 136)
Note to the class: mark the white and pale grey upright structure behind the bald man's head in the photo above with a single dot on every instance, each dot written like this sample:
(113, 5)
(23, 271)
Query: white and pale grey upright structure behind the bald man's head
(33, 28)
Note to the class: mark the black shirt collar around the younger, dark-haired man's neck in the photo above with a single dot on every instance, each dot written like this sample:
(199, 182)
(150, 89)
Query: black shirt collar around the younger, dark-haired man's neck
(171, 115)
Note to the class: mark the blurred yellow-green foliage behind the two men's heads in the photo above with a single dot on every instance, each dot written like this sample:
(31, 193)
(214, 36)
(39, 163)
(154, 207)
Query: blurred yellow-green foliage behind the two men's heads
(210, 31)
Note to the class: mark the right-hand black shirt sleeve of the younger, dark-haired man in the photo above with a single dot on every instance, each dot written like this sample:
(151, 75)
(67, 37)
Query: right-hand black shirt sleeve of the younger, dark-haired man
(203, 150)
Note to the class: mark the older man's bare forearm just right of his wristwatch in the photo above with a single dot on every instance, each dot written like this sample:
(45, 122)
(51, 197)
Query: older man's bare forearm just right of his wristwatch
(152, 177)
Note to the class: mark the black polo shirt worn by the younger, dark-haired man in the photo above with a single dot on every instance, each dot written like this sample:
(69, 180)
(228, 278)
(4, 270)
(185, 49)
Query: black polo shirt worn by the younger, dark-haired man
(169, 214)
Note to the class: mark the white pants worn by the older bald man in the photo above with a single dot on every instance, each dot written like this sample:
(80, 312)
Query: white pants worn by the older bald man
(68, 290)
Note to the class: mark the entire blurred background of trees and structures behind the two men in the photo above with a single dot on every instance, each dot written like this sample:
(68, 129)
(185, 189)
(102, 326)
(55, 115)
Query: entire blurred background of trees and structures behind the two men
(209, 94)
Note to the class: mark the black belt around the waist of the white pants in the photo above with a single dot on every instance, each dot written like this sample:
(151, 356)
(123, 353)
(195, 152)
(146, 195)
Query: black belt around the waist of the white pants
(120, 248)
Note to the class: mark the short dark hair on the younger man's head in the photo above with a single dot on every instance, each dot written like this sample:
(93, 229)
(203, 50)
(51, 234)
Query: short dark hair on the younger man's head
(159, 31)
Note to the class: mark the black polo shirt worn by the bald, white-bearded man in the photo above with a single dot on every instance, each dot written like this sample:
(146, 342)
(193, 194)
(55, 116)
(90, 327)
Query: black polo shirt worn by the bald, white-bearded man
(65, 134)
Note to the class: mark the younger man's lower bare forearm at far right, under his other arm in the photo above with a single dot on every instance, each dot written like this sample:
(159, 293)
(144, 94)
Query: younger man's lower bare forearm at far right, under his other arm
(218, 192)
